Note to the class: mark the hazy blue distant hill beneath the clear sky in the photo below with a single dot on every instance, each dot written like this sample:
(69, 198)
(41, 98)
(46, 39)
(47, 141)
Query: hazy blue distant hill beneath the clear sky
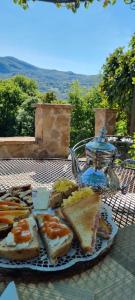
(58, 81)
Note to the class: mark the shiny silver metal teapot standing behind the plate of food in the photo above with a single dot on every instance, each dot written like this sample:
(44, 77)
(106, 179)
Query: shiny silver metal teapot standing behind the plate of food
(98, 171)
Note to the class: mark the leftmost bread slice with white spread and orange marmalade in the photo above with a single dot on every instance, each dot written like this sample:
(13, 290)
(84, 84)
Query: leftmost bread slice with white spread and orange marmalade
(21, 243)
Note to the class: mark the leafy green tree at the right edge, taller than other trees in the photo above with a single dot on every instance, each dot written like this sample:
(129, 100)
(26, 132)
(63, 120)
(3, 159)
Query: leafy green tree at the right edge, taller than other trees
(118, 83)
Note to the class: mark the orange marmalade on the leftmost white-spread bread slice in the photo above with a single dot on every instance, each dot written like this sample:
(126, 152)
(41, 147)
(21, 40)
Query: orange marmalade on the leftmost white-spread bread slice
(21, 232)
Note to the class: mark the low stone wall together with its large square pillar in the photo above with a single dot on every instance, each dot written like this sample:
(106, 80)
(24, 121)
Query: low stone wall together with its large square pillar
(52, 135)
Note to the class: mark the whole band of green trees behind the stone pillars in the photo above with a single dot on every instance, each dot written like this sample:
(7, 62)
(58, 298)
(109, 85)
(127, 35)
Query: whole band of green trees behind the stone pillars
(117, 89)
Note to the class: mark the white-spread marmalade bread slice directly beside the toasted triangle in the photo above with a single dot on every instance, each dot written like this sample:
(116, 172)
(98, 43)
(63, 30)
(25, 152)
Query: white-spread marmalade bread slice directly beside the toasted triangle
(56, 246)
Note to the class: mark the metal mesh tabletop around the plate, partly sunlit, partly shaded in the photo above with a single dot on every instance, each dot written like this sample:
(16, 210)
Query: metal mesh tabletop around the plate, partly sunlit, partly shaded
(112, 277)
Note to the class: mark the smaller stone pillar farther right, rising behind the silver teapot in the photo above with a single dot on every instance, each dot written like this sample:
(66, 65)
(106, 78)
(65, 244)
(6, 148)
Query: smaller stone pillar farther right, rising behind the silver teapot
(105, 117)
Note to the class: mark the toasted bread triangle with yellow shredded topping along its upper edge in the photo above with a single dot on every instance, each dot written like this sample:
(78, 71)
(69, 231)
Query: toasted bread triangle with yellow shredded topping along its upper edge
(82, 212)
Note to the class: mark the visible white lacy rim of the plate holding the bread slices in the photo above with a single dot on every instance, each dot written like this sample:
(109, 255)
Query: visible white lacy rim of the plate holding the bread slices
(75, 254)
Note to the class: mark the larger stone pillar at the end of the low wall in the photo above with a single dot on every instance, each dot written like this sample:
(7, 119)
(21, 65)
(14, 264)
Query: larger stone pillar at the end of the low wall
(52, 128)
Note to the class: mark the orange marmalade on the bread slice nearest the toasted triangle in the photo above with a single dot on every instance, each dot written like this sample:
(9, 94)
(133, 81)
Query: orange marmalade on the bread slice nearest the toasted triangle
(53, 227)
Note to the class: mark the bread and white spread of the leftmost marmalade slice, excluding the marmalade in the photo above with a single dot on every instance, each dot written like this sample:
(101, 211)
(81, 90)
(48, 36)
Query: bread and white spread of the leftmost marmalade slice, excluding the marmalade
(20, 251)
